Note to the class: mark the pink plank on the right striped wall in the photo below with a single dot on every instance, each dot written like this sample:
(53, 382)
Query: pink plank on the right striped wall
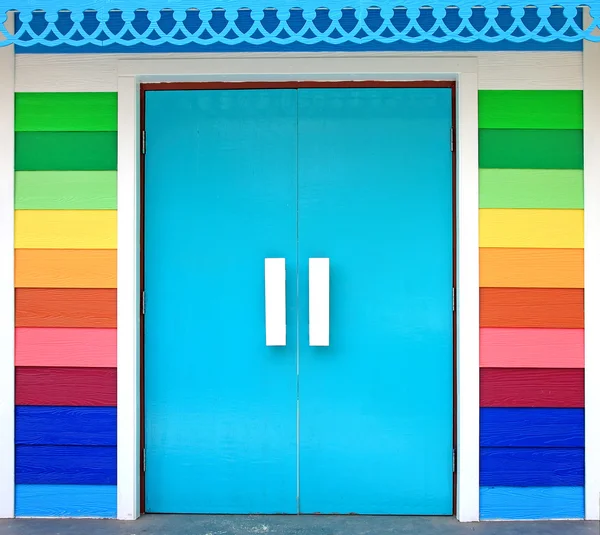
(531, 348)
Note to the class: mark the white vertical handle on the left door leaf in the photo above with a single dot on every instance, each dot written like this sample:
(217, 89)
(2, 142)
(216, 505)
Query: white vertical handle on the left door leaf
(275, 301)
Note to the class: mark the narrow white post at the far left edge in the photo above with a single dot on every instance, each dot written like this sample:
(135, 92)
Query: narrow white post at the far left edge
(7, 284)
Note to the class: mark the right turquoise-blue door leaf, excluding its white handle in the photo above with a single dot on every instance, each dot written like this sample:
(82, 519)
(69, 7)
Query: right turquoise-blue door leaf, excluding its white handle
(375, 196)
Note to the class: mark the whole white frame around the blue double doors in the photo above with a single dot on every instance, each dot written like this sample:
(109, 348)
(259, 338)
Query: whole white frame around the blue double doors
(317, 68)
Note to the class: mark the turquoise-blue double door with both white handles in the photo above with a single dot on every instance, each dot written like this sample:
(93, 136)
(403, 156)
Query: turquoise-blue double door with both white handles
(358, 421)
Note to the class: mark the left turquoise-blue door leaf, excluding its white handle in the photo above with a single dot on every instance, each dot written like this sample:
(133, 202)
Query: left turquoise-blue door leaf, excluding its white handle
(220, 198)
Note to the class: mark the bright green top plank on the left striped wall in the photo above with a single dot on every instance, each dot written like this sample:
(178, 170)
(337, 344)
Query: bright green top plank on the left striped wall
(66, 112)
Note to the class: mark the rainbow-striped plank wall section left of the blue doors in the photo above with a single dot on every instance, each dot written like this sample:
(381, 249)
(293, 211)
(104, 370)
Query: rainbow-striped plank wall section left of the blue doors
(66, 310)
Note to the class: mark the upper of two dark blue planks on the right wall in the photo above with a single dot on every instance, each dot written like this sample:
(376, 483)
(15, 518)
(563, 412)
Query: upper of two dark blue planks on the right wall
(528, 427)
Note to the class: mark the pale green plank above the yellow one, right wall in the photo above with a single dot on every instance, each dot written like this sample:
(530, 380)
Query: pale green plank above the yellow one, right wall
(530, 188)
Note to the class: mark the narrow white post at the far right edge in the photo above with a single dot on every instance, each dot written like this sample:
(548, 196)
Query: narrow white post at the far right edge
(591, 178)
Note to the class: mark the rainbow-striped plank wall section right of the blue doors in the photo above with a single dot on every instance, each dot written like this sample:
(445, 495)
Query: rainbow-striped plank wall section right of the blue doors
(531, 277)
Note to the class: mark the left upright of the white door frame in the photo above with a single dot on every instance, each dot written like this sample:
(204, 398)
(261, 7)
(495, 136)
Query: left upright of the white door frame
(128, 302)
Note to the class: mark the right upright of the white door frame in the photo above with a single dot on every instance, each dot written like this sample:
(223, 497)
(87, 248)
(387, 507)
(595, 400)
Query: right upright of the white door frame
(467, 509)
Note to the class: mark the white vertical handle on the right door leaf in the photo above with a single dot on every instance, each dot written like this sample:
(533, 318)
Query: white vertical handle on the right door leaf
(318, 301)
